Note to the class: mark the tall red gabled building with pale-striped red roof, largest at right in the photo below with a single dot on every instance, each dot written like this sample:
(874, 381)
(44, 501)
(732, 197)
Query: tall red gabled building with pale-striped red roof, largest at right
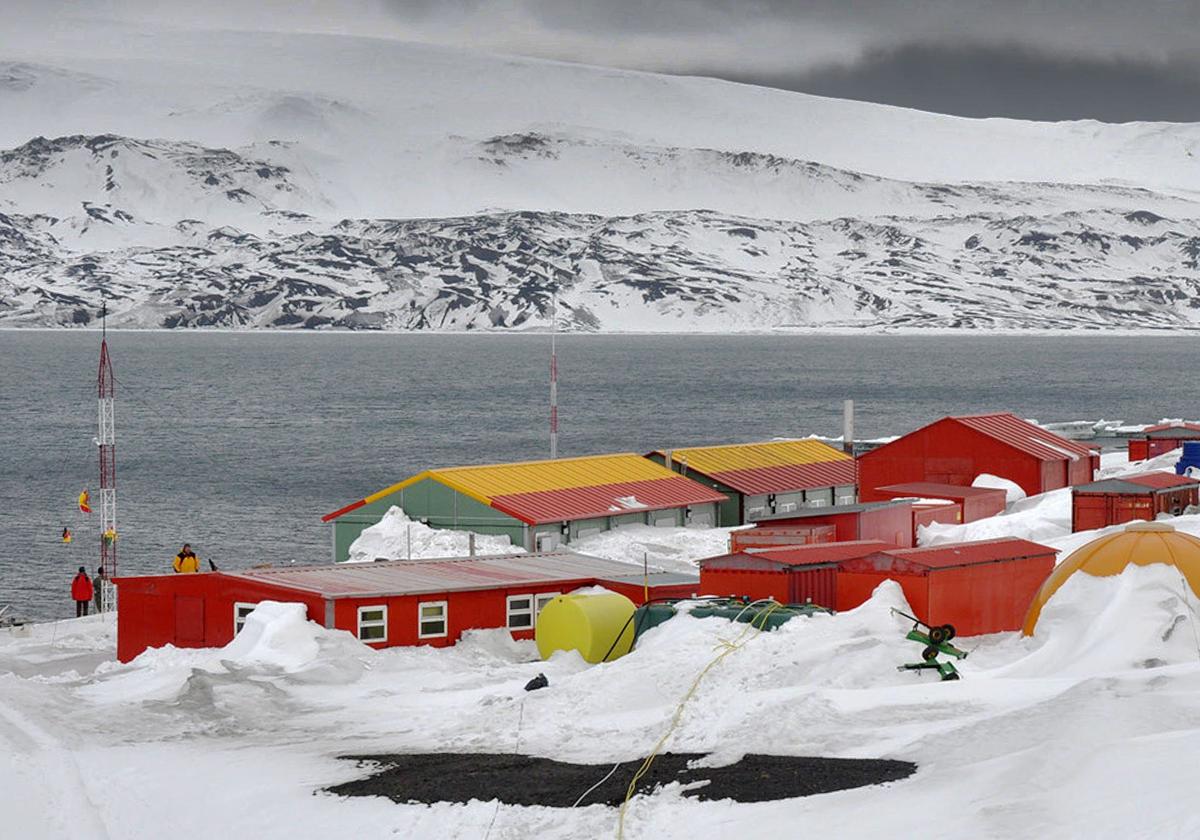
(957, 451)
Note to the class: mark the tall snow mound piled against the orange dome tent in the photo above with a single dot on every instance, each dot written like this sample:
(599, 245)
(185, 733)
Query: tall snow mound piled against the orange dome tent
(1143, 619)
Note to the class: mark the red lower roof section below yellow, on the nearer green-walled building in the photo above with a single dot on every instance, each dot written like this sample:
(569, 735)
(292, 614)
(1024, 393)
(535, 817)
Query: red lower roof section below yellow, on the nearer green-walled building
(579, 503)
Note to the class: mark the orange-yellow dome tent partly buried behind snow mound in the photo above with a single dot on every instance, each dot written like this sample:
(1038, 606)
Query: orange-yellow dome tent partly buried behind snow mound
(1142, 544)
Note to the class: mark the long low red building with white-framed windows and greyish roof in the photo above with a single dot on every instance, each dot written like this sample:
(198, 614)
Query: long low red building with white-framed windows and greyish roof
(382, 604)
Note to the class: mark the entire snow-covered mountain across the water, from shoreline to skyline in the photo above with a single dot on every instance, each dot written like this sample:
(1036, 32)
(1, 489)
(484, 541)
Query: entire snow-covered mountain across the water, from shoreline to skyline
(269, 181)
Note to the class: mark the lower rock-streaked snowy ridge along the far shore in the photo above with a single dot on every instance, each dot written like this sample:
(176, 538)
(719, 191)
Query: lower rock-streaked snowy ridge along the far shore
(657, 272)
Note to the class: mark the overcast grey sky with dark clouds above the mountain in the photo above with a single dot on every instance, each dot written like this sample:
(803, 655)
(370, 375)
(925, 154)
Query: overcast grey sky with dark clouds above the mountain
(1114, 61)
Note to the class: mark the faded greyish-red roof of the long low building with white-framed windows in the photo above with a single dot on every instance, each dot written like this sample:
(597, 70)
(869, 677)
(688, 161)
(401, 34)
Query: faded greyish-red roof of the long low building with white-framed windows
(417, 578)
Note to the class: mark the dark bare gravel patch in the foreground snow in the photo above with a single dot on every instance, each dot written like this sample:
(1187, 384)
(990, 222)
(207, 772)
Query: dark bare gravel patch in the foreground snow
(530, 781)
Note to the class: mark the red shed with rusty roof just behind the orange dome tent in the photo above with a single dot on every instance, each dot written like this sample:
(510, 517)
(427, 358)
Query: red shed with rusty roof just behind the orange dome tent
(1131, 499)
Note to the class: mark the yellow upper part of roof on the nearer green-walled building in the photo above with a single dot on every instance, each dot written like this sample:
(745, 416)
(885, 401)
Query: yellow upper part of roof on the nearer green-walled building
(485, 483)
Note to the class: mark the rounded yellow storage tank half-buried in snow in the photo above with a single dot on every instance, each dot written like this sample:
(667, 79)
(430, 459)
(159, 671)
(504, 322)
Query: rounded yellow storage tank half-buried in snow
(589, 625)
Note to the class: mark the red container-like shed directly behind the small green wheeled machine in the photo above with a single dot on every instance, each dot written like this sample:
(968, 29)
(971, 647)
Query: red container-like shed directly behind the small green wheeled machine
(979, 587)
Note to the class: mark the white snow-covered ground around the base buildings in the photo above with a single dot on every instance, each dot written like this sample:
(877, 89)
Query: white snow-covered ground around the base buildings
(1084, 731)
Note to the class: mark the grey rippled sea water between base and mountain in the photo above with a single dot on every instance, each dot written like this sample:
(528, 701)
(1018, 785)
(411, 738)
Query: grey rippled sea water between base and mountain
(239, 443)
